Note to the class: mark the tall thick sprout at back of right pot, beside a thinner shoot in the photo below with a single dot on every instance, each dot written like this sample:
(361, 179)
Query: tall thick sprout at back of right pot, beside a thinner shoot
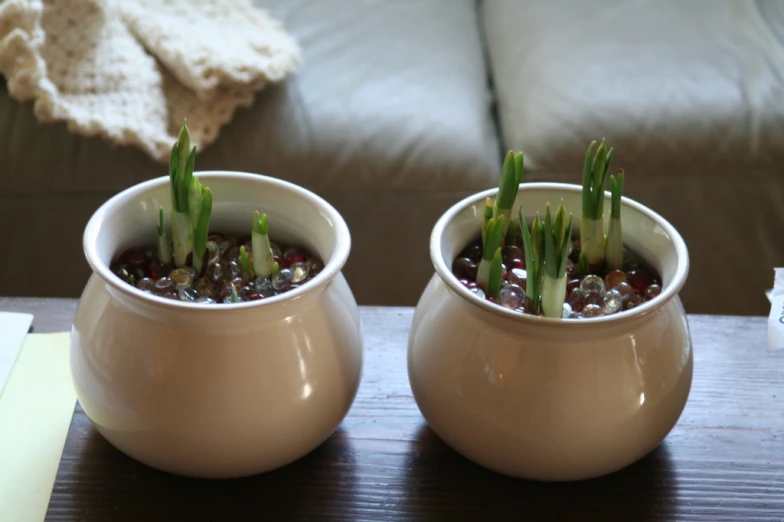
(592, 239)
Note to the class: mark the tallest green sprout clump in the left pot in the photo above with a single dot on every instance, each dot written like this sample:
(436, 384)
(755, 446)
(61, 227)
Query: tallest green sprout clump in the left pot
(191, 204)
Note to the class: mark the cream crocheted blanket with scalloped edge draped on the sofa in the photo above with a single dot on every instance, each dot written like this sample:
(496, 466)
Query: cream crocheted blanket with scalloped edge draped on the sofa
(133, 70)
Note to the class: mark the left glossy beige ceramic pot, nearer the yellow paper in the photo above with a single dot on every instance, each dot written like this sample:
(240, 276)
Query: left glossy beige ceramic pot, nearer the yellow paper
(217, 390)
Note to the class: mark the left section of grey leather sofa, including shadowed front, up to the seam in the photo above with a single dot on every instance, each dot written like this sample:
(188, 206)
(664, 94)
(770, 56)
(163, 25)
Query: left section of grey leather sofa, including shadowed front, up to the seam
(389, 118)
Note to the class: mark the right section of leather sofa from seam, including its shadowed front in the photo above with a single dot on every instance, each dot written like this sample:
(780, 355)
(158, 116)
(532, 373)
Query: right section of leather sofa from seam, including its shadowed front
(690, 94)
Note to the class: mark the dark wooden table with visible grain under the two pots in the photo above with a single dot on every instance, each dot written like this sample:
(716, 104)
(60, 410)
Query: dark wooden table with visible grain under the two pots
(724, 461)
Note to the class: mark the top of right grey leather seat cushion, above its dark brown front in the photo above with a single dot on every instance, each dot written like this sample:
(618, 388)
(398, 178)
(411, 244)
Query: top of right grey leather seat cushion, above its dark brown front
(677, 87)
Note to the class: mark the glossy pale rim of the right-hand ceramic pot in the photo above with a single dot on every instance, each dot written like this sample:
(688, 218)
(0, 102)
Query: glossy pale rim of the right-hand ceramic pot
(452, 282)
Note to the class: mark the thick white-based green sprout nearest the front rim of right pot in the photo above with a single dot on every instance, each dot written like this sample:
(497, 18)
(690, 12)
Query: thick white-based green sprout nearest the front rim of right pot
(557, 236)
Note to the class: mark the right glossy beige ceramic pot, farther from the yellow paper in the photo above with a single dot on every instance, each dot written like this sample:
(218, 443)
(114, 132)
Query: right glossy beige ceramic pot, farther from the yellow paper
(551, 399)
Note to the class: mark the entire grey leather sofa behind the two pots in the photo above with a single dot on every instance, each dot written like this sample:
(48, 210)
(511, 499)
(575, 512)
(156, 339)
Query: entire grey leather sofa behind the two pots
(403, 107)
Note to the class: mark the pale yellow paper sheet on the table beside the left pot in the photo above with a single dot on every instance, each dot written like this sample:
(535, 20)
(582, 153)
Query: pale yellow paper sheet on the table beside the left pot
(35, 412)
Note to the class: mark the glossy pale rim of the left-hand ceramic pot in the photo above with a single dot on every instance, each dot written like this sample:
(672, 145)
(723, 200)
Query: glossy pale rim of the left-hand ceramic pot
(330, 270)
